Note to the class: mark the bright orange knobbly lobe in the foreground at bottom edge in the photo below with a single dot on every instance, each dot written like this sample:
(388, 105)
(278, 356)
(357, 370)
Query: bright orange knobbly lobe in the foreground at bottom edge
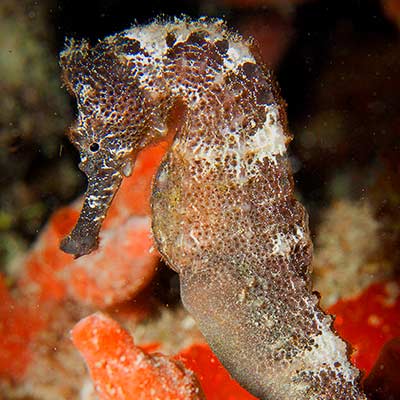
(122, 371)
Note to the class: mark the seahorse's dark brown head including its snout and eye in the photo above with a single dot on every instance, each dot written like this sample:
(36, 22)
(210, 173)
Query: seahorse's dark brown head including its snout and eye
(117, 117)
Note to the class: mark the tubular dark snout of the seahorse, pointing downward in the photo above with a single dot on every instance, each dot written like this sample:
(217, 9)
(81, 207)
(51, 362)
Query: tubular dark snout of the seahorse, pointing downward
(101, 190)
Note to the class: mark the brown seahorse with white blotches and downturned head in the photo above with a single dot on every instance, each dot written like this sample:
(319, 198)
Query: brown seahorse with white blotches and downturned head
(223, 209)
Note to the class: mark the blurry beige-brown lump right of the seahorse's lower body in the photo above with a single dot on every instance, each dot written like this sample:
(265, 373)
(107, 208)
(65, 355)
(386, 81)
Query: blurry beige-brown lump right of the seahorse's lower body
(349, 253)
